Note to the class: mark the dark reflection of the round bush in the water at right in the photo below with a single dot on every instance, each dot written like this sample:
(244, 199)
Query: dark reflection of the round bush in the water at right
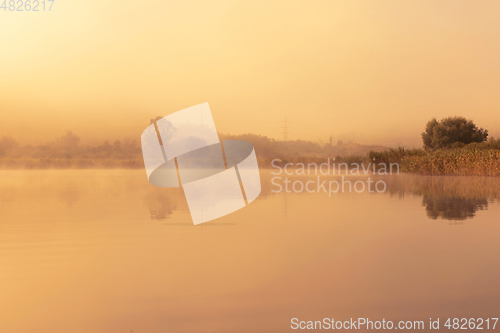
(453, 208)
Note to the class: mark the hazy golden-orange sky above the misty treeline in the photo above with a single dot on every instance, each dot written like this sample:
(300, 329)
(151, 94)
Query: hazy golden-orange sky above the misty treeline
(375, 71)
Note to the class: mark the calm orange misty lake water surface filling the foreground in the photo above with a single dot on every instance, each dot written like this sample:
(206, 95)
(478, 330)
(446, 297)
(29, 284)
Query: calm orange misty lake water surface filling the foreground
(104, 251)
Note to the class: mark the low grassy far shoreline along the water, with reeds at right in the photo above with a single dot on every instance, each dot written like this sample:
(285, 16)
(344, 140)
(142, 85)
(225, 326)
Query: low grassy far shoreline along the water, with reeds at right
(451, 162)
